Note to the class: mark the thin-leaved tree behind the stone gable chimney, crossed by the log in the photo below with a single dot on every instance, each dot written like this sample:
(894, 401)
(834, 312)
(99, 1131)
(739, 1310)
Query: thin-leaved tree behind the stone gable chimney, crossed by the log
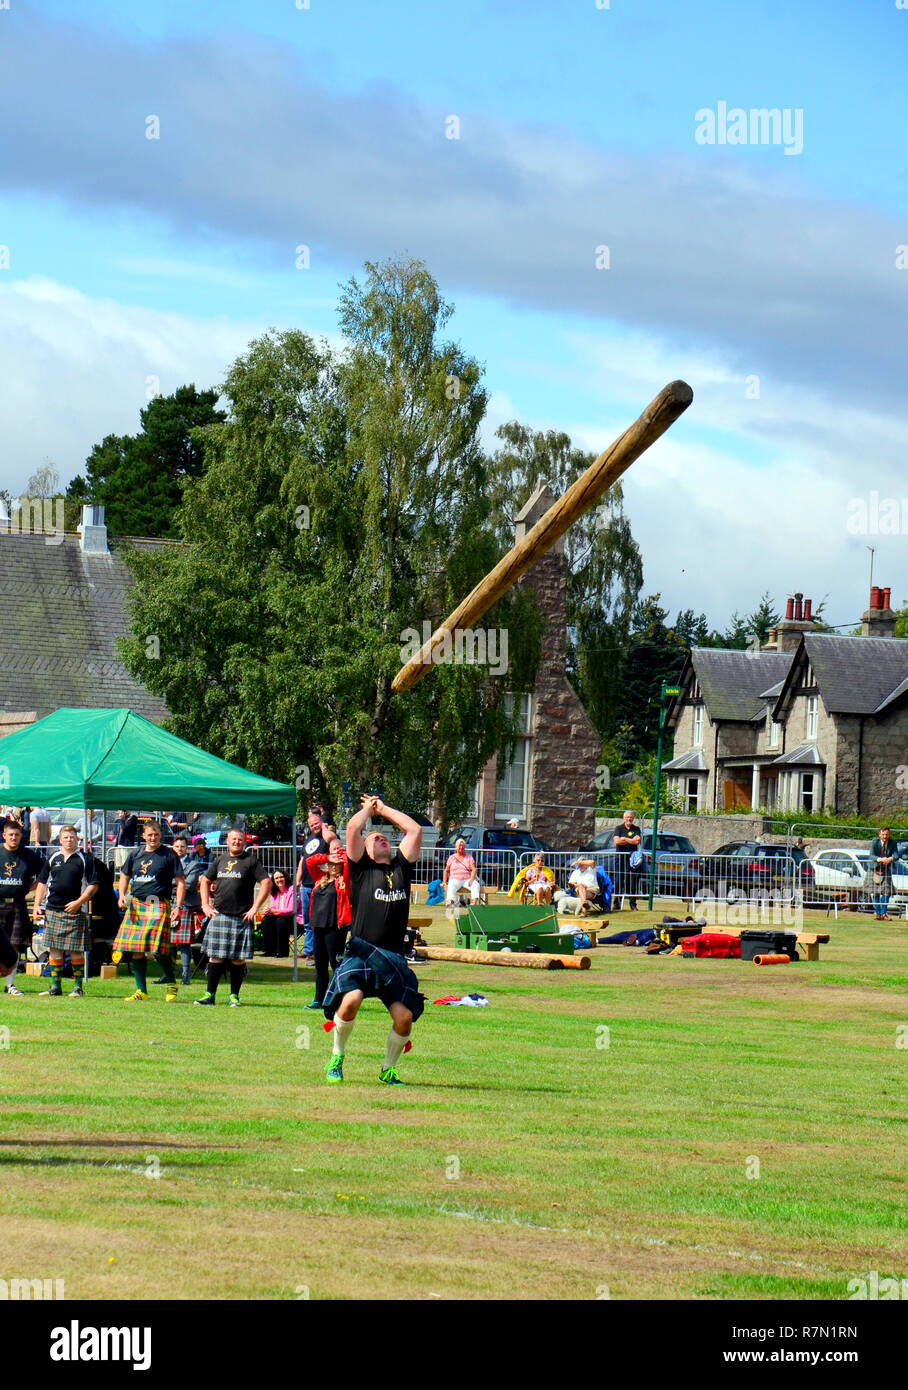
(604, 564)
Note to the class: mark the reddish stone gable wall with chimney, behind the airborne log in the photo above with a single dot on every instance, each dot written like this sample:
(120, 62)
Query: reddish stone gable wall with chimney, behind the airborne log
(550, 787)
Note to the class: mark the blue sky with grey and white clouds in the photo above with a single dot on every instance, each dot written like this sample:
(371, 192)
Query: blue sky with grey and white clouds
(136, 259)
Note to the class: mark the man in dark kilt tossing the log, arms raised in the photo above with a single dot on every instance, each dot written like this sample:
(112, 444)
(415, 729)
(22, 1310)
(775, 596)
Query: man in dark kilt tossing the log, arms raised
(375, 965)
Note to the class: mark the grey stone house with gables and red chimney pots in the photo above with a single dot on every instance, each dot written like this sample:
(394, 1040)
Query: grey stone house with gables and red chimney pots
(809, 722)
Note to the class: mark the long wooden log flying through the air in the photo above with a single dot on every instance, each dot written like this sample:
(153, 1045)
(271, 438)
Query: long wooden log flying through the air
(661, 414)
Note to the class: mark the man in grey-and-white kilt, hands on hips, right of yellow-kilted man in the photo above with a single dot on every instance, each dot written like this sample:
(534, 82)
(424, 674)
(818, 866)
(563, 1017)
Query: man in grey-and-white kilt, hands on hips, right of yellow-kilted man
(229, 936)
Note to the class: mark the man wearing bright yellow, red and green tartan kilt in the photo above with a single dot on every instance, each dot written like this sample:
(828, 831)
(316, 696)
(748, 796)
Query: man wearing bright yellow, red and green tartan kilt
(149, 876)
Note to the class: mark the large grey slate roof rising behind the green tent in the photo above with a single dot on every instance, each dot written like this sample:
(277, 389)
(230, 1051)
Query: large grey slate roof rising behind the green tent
(63, 612)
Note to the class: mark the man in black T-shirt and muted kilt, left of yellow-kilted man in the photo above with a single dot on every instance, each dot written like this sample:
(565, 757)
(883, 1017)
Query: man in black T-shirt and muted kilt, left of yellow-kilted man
(69, 879)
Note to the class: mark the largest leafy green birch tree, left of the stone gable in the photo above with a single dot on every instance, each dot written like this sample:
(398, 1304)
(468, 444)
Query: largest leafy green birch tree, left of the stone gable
(341, 508)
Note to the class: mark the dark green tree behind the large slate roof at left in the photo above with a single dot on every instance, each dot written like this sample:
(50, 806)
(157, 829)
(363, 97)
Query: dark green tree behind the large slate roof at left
(140, 479)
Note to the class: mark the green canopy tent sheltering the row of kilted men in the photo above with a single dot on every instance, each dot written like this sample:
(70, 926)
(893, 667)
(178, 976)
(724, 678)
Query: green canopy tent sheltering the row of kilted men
(113, 758)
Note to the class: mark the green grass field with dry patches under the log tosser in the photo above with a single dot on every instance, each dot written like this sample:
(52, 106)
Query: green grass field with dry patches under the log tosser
(524, 1159)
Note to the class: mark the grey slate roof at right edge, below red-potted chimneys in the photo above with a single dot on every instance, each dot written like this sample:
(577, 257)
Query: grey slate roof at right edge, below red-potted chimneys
(856, 675)
